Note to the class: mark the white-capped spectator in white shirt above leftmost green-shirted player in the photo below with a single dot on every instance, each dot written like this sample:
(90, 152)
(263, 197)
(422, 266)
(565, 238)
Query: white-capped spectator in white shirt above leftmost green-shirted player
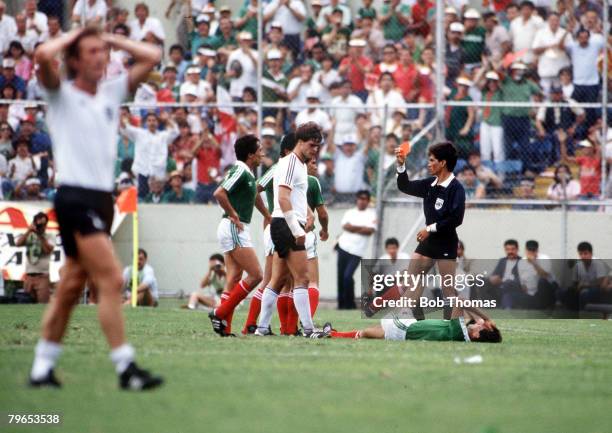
(246, 74)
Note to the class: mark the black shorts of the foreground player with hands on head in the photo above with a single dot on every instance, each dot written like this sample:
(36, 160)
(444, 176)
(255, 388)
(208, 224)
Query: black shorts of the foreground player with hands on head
(82, 210)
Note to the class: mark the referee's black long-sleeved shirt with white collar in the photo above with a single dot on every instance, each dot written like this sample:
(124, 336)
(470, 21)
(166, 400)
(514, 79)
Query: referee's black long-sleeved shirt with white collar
(443, 204)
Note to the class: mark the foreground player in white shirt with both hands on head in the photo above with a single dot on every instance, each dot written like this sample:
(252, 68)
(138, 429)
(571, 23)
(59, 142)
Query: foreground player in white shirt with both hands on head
(83, 120)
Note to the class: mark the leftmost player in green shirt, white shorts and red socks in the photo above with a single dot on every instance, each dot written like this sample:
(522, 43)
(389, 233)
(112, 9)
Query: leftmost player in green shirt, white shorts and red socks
(237, 195)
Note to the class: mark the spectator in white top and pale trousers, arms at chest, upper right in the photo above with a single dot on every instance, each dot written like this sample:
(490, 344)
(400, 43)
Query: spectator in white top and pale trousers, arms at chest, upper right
(551, 58)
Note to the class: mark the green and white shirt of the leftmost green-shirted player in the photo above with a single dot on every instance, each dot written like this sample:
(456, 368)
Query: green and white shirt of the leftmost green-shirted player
(239, 182)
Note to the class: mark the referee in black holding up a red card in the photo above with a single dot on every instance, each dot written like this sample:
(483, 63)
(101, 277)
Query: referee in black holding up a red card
(444, 205)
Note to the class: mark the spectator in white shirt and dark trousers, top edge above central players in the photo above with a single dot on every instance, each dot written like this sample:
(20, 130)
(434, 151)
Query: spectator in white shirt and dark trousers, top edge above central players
(291, 14)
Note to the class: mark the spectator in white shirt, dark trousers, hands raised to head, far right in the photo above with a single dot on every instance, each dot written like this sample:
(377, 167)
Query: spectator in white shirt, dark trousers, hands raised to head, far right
(584, 52)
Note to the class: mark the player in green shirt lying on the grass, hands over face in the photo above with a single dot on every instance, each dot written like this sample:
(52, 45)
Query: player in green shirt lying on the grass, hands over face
(479, 329)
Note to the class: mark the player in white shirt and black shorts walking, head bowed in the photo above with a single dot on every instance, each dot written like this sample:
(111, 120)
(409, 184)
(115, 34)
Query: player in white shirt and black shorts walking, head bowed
(287, 230)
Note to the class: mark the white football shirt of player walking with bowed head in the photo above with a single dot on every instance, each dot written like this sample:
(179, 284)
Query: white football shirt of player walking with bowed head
(291, 172)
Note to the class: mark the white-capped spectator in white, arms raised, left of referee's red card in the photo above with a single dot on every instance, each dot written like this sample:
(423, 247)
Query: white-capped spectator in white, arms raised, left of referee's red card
(349, 166)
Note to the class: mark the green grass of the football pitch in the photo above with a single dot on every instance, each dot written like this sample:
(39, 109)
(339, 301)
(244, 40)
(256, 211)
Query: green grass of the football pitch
(547, 376)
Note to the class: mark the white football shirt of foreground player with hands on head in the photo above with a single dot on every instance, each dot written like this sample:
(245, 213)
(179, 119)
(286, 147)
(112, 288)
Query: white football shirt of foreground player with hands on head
(84, 130)
